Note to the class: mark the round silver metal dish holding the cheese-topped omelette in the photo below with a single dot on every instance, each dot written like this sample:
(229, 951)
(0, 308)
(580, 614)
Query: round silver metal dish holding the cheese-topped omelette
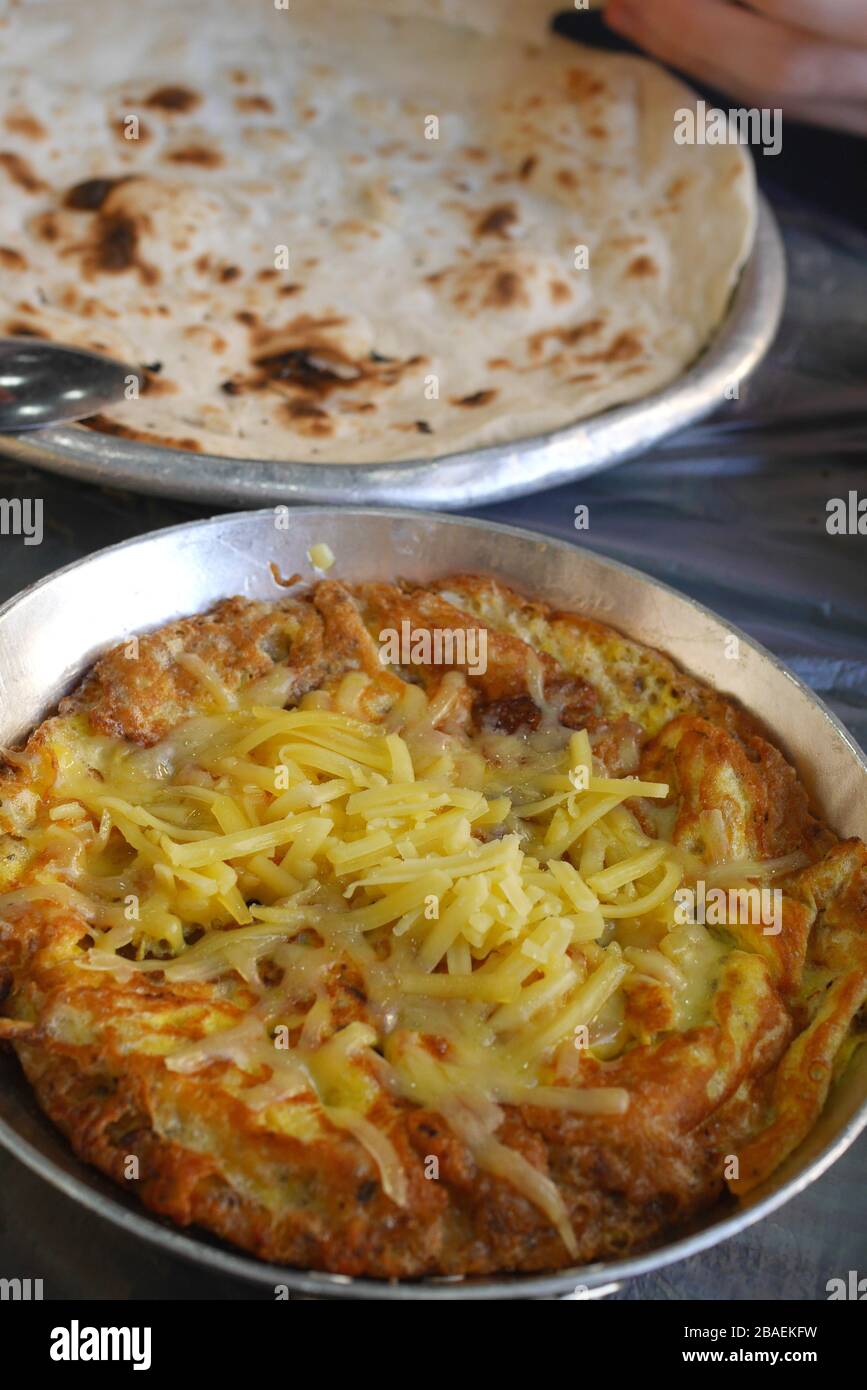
(55, 630)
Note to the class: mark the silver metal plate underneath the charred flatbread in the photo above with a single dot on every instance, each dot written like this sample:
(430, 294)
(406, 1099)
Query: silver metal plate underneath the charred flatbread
(458, 480)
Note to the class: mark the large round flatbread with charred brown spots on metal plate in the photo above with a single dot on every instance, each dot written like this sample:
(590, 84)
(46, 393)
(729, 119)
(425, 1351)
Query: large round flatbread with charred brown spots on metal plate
(434, 300)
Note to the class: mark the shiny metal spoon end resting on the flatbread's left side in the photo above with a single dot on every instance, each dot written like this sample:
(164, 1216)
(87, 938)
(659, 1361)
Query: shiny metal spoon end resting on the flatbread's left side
(44, 384)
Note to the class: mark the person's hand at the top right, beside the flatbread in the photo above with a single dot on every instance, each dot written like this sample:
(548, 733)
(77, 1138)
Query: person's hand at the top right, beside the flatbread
(808, 58)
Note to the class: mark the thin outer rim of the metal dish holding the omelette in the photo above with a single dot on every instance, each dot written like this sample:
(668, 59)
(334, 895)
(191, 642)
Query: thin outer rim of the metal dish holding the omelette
(598, 1277)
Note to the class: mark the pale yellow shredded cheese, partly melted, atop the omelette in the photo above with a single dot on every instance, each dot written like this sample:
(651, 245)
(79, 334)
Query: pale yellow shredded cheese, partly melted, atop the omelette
(491, 893)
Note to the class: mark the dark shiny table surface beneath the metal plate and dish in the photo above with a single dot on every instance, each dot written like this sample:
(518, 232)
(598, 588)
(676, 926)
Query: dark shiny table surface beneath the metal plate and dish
(732, 512)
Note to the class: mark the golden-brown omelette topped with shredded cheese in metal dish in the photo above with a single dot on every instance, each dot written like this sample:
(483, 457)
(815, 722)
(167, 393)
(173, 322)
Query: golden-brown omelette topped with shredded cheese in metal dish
(377, 960)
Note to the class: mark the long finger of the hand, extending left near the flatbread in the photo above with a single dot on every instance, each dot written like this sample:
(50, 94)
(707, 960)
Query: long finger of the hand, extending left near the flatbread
(743, 52)
